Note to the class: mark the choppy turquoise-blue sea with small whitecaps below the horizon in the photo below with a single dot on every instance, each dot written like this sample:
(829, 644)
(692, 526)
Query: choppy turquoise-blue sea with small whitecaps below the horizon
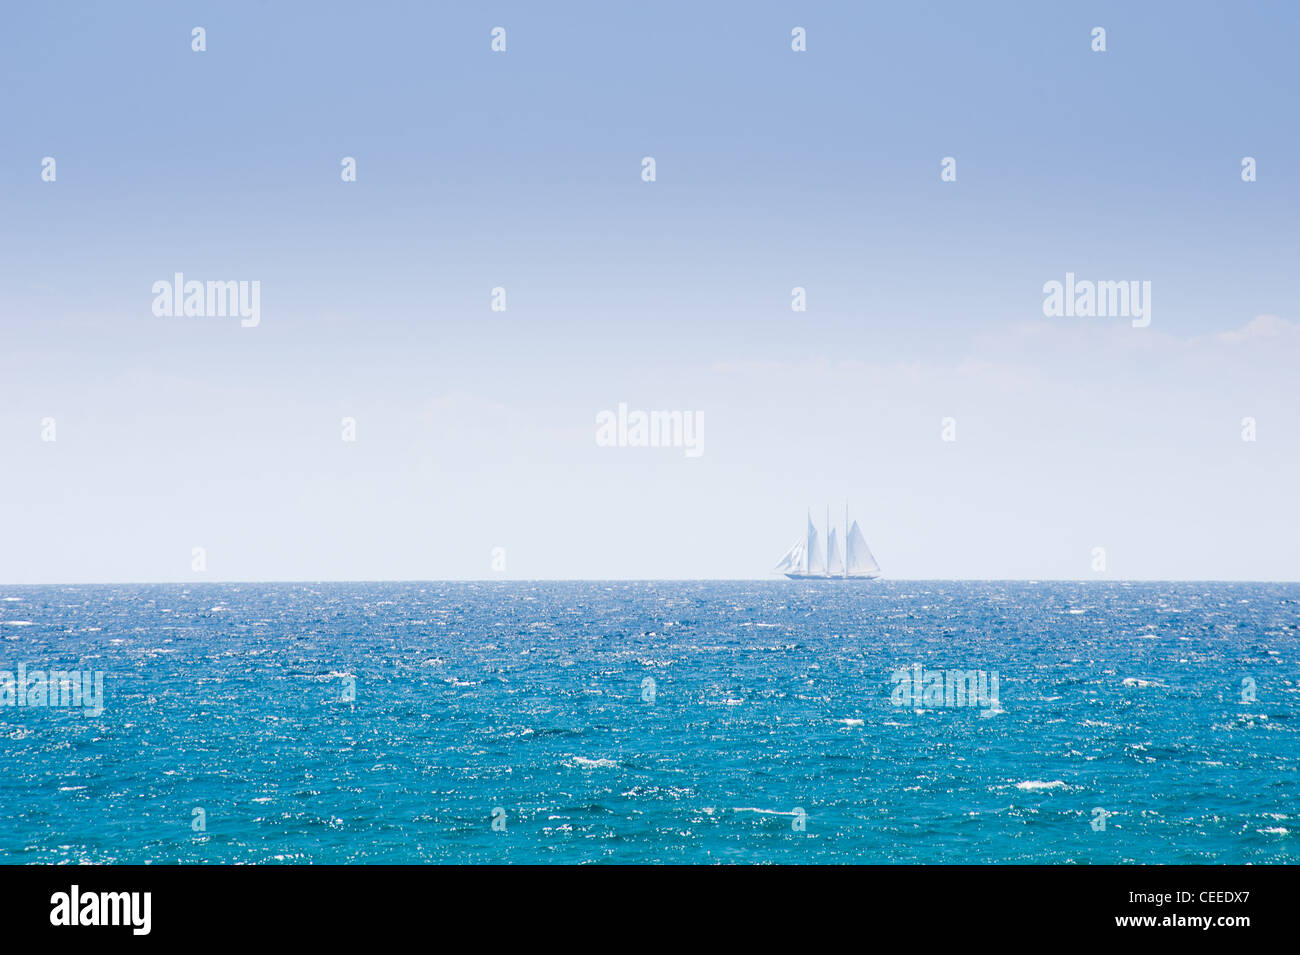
(772, 733)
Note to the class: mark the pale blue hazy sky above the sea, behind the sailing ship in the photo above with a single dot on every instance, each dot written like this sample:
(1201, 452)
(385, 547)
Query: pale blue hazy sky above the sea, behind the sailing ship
(820, 170)
